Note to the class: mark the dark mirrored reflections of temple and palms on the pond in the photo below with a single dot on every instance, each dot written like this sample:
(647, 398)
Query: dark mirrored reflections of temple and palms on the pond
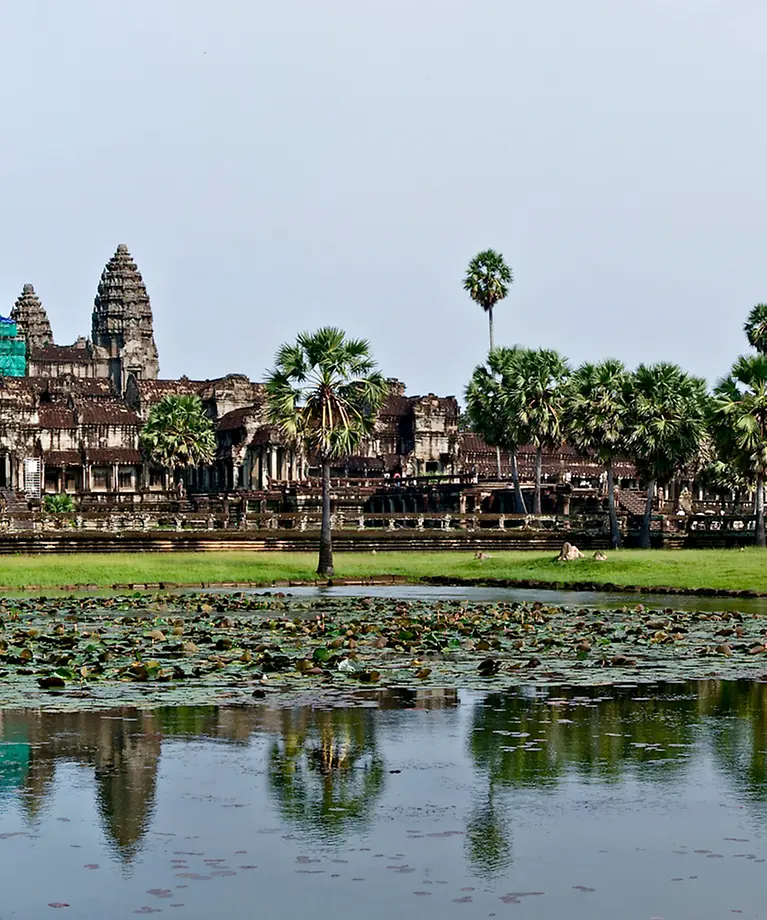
(326, 771)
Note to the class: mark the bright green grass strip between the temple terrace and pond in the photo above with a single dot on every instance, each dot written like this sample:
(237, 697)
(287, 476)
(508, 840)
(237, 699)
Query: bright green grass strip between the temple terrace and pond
(724, 569)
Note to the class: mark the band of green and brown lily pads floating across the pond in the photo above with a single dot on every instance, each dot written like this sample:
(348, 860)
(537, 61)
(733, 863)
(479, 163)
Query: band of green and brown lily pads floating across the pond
(160, 649)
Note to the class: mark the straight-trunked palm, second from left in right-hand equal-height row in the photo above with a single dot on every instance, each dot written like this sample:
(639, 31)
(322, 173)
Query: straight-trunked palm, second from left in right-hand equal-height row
(538, 382)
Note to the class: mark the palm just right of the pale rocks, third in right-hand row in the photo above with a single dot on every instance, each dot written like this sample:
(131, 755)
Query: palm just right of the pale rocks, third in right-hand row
(596, 407)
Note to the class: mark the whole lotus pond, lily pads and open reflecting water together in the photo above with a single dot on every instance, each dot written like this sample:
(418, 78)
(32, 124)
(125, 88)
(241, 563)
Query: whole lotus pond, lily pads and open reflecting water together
(260, 754)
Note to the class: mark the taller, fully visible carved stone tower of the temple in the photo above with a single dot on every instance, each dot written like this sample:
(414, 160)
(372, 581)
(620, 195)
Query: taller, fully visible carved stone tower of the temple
(122, 328)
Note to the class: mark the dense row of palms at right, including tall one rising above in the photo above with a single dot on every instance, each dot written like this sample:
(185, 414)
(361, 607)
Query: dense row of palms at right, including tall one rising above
(659, 417)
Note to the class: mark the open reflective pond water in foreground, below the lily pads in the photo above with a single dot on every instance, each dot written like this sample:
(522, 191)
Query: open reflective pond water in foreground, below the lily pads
(610, 803)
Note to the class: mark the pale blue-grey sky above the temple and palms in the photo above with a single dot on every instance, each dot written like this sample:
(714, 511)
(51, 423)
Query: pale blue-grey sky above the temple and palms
(277, 166)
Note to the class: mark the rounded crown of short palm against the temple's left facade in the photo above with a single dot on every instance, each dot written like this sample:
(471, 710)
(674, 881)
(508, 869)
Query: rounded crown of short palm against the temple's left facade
(178, 434)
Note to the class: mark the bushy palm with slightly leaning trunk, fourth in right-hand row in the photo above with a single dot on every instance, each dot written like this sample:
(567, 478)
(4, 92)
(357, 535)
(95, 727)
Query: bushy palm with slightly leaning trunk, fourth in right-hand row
(666, 424)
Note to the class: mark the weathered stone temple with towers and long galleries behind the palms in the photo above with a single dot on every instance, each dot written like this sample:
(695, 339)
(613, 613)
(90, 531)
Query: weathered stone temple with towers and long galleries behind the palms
(71, 416)
